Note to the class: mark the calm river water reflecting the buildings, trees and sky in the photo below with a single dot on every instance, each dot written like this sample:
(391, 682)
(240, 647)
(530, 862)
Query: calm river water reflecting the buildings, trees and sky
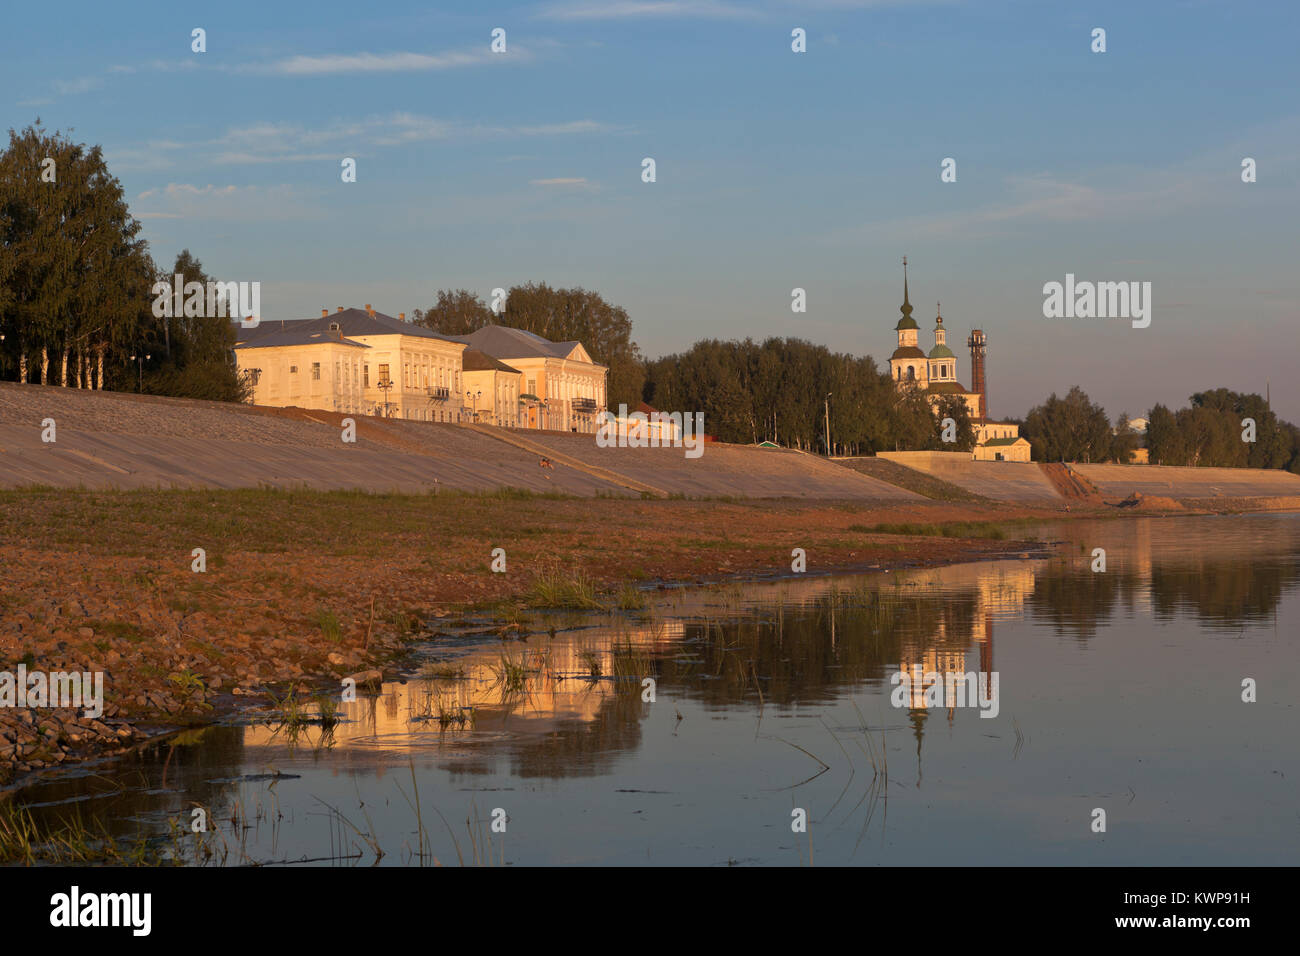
(1120, 691)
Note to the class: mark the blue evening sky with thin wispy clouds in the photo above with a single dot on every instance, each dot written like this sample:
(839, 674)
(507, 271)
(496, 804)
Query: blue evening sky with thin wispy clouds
(774, 170)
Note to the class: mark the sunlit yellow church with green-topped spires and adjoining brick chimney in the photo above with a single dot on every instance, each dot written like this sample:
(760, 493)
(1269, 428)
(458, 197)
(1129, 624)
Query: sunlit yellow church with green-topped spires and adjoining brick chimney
(937, 375)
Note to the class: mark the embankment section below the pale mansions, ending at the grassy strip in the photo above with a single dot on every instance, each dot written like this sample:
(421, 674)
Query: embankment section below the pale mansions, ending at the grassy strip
(111, 440)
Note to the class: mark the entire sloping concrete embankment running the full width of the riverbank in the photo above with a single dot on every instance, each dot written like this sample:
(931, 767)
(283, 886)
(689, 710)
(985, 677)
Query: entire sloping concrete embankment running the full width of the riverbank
(111, 440)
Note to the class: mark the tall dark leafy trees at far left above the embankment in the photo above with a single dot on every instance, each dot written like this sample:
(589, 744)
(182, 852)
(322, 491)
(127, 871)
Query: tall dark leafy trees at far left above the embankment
(76, 279)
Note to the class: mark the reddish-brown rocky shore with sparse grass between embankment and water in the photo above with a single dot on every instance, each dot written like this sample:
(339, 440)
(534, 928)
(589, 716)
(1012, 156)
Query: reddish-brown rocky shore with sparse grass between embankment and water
(302, 590)
